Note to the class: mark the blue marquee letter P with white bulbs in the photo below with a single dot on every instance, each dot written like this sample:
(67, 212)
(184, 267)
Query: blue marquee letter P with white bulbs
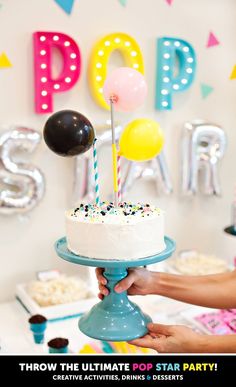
(170, 53)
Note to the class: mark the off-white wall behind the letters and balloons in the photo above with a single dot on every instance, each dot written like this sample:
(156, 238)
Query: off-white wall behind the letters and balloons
(26, 245)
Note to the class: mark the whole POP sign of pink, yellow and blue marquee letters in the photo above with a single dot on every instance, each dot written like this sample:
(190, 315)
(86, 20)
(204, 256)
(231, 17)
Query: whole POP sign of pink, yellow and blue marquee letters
(172, 53)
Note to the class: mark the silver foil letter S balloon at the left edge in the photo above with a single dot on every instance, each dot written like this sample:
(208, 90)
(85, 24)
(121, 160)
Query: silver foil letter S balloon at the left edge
(22, 185)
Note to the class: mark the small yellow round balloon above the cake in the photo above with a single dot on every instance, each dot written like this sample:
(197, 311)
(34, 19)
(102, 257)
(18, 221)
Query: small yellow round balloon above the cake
(141, 140)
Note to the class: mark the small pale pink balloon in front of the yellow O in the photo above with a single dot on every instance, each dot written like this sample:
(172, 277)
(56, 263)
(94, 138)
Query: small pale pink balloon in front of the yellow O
(127, 87)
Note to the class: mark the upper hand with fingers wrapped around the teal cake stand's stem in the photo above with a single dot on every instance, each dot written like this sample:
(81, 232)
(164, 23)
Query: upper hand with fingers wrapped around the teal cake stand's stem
(138, 281)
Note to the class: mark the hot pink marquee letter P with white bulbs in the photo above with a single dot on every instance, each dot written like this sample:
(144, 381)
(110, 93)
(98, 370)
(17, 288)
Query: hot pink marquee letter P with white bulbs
(45, 84)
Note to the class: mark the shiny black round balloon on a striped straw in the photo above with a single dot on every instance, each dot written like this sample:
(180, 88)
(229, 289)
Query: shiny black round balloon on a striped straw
(68, 133)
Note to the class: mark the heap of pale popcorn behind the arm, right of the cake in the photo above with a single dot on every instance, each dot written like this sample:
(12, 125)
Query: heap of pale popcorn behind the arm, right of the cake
(192, 262)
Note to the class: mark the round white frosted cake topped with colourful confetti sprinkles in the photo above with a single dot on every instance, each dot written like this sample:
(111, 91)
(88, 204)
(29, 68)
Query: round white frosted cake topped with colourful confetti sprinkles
(130, 231)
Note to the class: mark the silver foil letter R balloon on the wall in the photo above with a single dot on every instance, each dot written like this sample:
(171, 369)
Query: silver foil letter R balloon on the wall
(203, 145)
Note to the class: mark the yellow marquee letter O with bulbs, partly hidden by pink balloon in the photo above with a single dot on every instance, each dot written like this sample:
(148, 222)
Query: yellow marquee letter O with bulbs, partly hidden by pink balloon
(100, 56)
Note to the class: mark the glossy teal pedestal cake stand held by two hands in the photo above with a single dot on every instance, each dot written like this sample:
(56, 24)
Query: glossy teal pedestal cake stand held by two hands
(115, 318)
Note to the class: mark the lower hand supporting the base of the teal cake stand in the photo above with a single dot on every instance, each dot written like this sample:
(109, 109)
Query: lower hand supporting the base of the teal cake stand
(171, 339)
